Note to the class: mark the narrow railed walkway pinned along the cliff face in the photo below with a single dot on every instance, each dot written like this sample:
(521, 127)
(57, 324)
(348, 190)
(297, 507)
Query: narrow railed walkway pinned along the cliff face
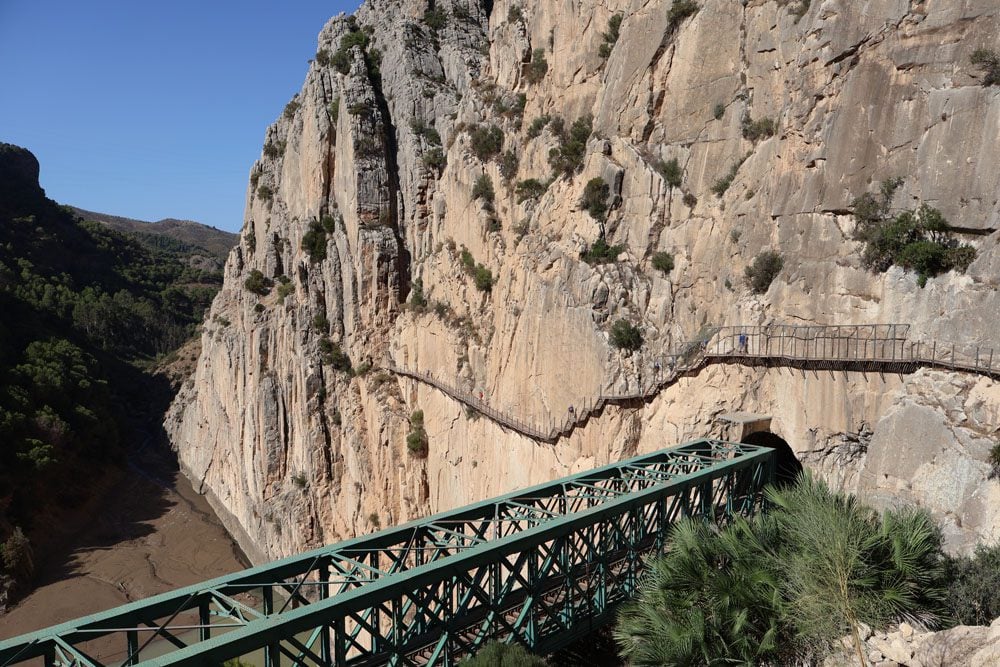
(875, 348)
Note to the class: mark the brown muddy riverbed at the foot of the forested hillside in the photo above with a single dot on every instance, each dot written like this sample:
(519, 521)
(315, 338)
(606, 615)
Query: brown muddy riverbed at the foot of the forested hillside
(151, 534)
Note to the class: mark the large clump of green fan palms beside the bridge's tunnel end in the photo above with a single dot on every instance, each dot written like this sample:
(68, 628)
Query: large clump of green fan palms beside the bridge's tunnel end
(786, 585)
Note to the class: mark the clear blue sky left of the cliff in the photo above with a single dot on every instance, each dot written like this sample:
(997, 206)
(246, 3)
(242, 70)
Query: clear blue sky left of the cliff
(147, 109)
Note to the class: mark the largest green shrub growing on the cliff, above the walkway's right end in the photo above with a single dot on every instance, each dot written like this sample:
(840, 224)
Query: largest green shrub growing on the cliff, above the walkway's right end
(917, 240)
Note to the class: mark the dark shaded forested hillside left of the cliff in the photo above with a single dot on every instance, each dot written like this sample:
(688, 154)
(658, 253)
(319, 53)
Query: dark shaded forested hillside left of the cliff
(87, 311)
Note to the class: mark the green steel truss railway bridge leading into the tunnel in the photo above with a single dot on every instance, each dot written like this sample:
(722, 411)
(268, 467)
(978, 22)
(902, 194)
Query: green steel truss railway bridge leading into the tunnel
(542, 566)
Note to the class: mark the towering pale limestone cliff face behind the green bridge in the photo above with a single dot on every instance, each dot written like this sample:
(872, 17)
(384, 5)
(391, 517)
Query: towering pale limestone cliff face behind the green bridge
(378, 145)
